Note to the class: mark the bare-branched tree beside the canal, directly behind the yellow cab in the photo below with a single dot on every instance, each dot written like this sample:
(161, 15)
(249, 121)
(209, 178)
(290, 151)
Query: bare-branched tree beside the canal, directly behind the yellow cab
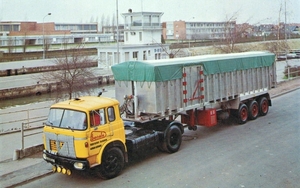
(73, 74)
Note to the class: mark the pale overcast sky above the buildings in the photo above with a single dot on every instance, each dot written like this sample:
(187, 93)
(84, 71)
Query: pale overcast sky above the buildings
(82, 11)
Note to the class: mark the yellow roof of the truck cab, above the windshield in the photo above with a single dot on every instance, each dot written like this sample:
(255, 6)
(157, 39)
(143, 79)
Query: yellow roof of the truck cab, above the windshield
(86, 103)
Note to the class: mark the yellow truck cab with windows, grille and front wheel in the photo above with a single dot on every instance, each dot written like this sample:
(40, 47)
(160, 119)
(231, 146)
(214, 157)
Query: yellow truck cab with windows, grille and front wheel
(83, 133)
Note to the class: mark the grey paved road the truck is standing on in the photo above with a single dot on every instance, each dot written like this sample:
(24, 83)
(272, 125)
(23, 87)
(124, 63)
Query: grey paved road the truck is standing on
(261, 153)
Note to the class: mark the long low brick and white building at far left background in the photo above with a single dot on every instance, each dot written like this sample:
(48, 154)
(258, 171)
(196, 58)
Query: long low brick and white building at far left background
(20, 33)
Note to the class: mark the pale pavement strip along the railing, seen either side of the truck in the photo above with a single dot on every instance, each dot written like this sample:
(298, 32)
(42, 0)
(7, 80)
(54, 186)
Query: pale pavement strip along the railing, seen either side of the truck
(13, 173)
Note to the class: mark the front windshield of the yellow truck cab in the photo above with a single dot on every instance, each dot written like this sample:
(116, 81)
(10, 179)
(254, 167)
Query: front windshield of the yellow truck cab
(69, 119)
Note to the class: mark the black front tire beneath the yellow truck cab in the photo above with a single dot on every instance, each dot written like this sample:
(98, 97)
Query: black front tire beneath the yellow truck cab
(112, 163)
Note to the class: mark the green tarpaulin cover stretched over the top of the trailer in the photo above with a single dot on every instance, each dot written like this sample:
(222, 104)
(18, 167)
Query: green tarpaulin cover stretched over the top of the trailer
(170, 69)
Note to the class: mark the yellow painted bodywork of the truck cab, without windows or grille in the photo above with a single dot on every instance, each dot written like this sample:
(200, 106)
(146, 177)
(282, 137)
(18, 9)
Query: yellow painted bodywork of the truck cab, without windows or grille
(96, 137)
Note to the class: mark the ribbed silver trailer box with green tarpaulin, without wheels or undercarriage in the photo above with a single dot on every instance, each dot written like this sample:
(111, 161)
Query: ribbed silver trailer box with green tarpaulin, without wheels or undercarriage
(168, 86)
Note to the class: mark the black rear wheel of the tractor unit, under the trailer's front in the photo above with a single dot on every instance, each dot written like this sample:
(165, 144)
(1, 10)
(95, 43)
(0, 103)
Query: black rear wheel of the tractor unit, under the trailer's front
(173, 139)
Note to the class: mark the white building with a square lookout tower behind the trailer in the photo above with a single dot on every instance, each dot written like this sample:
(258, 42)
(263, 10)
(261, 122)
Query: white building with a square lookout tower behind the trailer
(142, 40)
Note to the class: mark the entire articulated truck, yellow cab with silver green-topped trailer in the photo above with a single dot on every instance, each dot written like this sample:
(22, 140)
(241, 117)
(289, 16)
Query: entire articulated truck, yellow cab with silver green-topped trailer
(155, 100)
